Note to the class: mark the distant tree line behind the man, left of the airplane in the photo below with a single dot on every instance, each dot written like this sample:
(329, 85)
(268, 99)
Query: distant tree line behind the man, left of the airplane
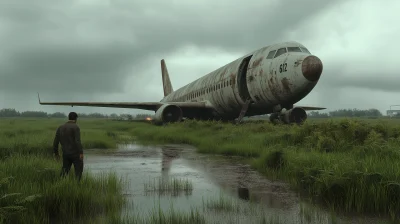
(9, 112)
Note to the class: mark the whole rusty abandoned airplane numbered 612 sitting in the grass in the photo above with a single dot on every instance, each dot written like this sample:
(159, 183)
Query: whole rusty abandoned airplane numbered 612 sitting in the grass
(269, 80)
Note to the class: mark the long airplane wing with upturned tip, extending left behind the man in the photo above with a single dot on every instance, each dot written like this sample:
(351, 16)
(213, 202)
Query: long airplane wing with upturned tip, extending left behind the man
(134, 105)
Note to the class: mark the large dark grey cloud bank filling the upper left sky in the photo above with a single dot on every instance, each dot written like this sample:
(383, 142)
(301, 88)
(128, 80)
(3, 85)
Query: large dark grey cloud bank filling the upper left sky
(71, 47)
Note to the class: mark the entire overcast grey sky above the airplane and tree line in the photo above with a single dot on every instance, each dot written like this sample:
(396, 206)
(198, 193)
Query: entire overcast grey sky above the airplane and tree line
(99, 50)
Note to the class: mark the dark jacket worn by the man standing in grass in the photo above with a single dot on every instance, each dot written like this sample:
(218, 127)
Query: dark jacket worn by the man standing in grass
(69, 136)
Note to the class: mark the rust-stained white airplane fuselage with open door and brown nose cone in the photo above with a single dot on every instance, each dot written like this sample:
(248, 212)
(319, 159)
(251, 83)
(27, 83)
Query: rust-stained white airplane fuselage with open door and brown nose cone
(280, 74)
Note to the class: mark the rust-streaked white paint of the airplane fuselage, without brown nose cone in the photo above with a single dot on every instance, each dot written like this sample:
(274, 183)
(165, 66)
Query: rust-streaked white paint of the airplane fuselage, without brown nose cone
(266, 84)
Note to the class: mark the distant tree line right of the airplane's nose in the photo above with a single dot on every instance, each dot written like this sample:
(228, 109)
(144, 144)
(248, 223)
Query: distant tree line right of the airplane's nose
(346, 113)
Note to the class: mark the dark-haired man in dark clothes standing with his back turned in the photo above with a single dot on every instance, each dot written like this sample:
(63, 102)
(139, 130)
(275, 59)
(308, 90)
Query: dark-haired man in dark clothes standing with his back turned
(69, 136)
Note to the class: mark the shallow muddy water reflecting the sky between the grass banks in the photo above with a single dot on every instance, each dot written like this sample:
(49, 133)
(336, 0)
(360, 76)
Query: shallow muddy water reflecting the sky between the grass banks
(254, 197)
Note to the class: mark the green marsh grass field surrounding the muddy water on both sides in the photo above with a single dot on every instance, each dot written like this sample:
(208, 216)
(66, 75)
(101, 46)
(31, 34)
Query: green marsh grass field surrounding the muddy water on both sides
(351, 165)
